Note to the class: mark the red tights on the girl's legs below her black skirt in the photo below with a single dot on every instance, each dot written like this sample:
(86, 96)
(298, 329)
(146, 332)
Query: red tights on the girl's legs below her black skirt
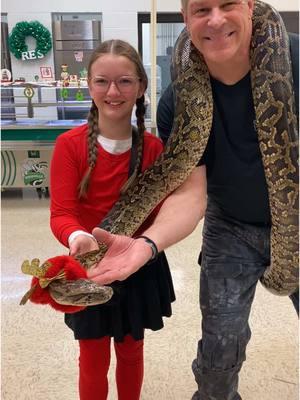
(94, 361)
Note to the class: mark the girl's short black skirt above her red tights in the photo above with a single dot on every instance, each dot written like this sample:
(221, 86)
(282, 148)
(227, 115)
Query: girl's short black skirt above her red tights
(138, 303)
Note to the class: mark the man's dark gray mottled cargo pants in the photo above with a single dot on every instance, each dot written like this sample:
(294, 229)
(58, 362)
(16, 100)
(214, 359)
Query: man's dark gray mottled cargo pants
(234, 257)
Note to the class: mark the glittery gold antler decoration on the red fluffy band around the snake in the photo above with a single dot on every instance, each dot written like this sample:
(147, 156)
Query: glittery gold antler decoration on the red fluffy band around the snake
(38, 271)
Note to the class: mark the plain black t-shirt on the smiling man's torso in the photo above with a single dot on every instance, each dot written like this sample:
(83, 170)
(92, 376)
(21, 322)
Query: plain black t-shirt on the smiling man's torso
(235, 174)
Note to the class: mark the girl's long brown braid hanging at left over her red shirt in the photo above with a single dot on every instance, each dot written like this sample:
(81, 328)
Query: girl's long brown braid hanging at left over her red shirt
(93, 132)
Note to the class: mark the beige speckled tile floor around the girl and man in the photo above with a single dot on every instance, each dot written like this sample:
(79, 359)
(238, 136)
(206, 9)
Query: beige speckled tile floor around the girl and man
(39, 355)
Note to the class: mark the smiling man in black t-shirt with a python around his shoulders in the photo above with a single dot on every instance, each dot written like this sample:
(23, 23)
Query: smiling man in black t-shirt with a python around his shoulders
(236, 235)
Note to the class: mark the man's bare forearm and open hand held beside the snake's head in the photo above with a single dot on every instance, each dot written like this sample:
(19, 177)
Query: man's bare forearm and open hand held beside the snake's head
(177, 218)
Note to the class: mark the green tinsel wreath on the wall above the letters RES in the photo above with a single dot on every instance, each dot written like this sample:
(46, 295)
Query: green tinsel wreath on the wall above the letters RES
(35, 29)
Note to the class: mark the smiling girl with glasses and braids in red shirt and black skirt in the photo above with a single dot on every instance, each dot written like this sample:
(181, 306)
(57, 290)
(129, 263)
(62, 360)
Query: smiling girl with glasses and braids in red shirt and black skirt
(90, 165)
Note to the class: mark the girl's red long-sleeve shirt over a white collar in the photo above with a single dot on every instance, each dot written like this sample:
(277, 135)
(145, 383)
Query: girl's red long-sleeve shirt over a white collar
(68, 166)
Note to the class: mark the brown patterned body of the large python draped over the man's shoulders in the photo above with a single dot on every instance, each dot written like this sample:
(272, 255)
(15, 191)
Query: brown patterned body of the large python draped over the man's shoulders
(276, 120)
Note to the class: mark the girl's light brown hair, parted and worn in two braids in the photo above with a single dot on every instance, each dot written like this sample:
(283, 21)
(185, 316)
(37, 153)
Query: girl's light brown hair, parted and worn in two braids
(120, 48)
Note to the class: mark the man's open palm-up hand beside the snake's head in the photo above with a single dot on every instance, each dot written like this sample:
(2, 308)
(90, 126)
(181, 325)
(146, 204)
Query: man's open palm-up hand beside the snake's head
(123, 257)
